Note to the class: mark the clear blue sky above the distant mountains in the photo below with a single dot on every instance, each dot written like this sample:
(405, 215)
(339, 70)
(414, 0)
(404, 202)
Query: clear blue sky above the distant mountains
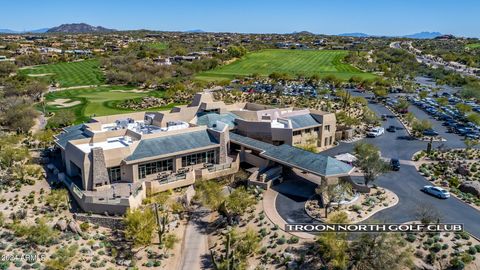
(379, 17)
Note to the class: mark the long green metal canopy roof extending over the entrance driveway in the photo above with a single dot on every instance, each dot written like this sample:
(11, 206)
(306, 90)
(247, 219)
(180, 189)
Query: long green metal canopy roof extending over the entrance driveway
(295, 157)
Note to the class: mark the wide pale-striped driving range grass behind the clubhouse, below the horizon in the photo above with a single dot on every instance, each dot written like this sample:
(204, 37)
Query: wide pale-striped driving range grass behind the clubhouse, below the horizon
(307, 62)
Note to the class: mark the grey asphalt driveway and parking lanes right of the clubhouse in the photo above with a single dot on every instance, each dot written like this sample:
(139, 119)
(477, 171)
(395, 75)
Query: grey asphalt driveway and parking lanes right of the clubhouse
(406, 183)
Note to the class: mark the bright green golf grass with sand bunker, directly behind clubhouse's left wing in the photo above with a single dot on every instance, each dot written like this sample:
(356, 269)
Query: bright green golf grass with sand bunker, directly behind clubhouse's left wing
(98, 101)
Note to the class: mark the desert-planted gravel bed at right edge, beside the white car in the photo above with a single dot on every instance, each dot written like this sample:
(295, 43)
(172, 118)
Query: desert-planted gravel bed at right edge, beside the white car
(456, 170)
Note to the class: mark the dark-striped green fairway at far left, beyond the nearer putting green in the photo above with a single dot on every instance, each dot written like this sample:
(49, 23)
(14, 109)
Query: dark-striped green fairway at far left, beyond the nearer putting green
(68, 74)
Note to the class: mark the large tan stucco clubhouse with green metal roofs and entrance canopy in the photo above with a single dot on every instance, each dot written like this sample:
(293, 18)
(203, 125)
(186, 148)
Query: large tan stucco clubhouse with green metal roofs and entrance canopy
(113, 162)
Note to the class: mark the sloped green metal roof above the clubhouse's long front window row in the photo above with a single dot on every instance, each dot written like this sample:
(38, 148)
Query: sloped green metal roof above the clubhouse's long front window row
(172, 144)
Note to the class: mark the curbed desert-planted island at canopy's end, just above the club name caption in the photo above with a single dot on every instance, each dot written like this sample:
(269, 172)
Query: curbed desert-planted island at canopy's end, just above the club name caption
(359, 207)
